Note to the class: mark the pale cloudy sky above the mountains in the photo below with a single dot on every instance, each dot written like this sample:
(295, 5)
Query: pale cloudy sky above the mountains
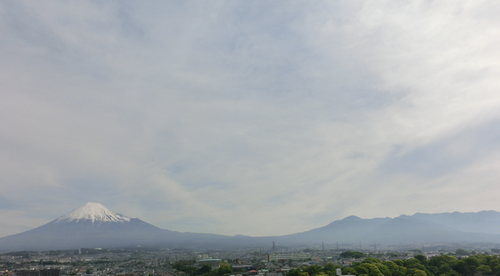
(248, 117)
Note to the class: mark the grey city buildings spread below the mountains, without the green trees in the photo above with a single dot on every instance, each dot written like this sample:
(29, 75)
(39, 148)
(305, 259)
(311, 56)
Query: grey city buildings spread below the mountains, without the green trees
(159, 262)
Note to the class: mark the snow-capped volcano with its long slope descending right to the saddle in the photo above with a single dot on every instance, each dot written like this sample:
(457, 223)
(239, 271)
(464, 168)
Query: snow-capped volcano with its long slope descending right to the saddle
(93, 225)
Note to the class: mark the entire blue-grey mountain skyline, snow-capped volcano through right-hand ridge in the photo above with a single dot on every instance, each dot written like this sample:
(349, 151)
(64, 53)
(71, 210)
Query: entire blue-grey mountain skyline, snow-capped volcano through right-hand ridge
(94, 225)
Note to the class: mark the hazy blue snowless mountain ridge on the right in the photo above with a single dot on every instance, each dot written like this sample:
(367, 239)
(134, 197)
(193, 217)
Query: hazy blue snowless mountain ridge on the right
(482, 226)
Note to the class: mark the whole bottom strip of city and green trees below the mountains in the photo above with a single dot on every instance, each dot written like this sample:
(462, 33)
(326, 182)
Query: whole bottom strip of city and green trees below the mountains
(255, 261)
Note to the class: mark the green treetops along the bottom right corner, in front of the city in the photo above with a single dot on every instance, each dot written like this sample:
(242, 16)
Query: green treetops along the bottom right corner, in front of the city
(443, 265)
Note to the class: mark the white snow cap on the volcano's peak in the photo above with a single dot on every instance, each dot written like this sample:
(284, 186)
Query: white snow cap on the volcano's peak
(94, 212)
